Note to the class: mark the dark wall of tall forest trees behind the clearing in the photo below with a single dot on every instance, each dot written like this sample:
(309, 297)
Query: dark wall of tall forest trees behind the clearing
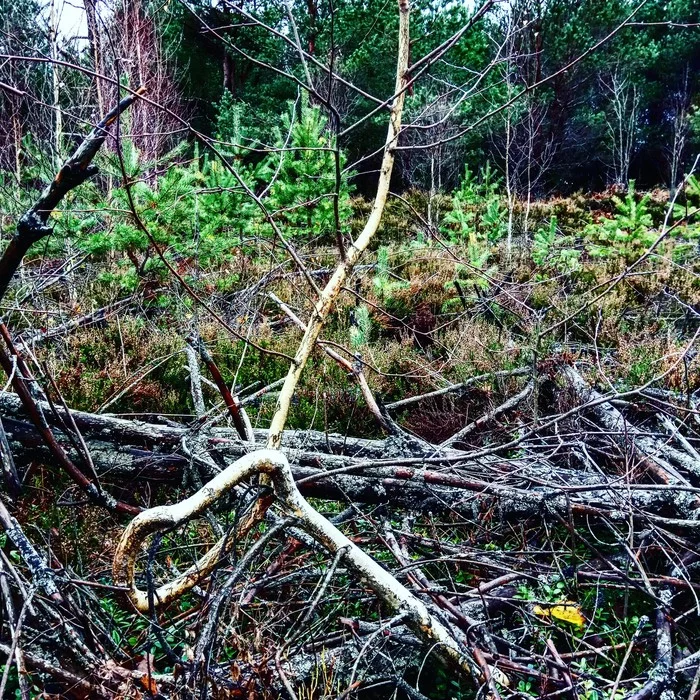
(625, 110)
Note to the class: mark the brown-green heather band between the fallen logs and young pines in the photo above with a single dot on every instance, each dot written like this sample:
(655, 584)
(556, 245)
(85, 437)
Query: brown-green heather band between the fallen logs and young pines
(414, 320)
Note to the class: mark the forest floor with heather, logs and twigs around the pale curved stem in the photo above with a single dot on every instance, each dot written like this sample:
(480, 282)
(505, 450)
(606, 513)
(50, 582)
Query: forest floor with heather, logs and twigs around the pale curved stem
(534, 476)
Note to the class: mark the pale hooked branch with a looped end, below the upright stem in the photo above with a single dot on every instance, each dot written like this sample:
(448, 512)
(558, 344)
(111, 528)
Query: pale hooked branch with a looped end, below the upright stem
(275, 466)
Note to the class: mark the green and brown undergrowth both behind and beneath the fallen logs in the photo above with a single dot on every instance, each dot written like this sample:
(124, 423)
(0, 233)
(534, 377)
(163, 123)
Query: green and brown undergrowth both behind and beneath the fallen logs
(426, 308)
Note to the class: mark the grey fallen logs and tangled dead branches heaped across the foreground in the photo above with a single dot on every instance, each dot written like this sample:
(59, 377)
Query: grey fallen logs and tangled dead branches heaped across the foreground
(639, 480)
